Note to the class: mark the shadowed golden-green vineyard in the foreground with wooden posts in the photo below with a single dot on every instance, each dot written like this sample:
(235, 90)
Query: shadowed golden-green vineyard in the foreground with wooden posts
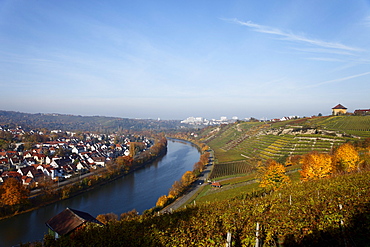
(328, 212)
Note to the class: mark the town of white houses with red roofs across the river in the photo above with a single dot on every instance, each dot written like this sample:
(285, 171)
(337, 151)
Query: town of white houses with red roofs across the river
(61, 155)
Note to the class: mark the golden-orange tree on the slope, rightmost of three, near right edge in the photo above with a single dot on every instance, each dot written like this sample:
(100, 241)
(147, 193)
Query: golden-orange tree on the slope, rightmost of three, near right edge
(346, 158)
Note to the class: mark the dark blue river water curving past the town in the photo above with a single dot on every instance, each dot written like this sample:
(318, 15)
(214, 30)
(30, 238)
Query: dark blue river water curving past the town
(139, 190)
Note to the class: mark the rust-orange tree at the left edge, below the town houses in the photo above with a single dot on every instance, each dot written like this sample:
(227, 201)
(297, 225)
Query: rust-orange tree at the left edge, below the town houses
(13, 192)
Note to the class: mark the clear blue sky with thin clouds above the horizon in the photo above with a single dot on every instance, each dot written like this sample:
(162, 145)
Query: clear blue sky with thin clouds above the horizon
(175, 59)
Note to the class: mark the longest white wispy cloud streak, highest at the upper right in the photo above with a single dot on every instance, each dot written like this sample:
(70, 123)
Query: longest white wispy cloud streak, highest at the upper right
(292, 36)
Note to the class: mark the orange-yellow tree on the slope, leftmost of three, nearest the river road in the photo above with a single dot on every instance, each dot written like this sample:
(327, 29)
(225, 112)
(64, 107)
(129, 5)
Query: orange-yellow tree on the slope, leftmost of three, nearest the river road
(273, 175)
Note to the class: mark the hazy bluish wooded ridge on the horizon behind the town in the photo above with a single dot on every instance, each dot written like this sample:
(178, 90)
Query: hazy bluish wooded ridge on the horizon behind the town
(82, 123)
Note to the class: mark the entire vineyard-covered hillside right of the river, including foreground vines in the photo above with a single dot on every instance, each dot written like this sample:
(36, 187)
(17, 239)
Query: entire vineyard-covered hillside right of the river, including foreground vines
(334, 211)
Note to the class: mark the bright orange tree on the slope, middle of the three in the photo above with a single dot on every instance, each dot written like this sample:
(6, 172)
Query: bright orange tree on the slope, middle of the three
(316, 165)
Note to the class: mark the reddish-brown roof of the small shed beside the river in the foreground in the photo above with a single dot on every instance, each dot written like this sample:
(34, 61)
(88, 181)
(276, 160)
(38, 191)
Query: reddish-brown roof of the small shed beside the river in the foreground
(68, 220)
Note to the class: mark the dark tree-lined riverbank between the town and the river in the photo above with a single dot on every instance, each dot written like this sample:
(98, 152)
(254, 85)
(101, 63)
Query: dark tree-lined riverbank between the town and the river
(87, 183)
